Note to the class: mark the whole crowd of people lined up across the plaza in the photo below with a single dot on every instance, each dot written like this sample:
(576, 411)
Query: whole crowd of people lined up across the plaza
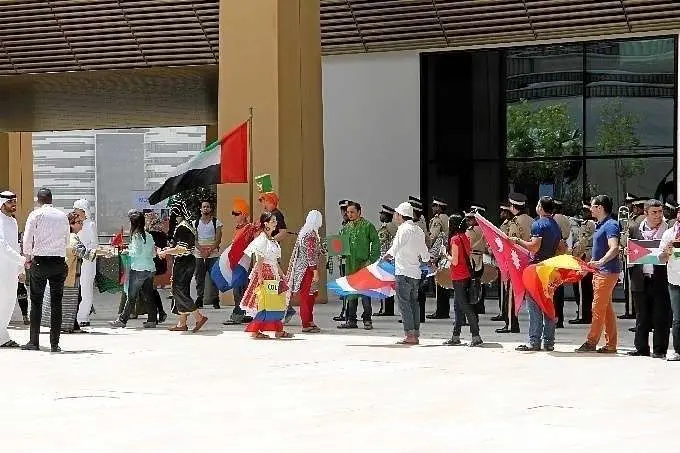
(59, 251)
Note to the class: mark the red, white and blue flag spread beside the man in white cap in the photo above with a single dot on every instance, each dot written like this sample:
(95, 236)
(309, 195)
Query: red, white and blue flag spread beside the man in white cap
(376, 280)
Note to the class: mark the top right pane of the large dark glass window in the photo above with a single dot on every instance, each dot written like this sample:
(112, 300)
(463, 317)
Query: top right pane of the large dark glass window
(630, 92)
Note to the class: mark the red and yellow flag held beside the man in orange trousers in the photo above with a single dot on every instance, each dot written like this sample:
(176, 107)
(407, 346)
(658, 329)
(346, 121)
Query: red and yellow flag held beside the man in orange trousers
(542, 279)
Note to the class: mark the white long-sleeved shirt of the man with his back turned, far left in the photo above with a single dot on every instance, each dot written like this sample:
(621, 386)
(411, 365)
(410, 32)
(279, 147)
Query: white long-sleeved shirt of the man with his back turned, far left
(47, 232)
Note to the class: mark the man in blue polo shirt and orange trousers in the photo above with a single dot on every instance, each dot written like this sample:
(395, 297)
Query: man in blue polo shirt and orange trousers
(606, 260)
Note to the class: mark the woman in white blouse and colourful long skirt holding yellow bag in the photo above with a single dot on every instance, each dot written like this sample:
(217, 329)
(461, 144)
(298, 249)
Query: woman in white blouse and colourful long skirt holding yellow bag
(267, 253)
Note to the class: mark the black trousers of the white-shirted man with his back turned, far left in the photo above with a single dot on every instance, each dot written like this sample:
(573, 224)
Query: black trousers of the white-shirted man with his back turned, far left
(47, 269)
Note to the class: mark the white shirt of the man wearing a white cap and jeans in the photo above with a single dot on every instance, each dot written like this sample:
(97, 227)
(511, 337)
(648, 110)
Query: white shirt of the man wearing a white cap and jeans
(409, 250)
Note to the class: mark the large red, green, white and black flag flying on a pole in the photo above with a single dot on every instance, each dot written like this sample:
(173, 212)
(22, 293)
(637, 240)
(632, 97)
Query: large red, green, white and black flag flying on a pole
(224, 161)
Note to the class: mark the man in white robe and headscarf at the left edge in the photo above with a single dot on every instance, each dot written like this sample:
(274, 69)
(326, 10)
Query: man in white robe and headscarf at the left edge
(11, 265)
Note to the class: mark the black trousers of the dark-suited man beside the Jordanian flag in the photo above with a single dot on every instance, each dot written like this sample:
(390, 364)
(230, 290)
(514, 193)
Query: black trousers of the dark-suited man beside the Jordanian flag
(653, 313)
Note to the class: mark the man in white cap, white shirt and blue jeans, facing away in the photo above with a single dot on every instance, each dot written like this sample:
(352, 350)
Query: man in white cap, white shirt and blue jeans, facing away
(409, 251)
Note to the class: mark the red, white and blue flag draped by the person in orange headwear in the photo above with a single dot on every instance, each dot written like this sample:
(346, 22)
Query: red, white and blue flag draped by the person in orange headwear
(232, 267)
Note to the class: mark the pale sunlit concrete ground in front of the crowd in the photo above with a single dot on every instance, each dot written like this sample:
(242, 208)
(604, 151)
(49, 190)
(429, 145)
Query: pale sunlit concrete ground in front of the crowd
(155, 390)
